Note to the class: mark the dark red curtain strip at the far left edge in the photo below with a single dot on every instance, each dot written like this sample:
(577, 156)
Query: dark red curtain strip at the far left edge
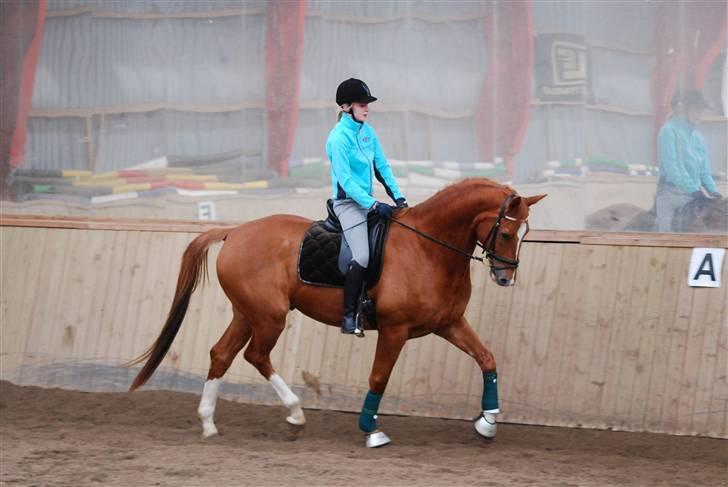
(21, 32)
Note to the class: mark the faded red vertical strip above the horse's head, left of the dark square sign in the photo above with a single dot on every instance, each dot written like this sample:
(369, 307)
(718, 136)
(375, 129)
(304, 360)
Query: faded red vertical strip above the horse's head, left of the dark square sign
(505, 97)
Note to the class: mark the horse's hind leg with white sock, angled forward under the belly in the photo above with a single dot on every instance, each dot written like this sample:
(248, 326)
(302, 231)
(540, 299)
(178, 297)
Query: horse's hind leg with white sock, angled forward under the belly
(264, 339)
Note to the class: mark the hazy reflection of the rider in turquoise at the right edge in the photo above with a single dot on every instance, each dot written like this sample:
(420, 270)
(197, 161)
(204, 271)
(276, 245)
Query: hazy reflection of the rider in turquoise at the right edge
(683, 159)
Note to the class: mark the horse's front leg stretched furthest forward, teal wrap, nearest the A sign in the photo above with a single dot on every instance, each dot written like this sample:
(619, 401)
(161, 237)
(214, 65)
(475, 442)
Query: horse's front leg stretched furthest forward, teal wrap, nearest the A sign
(462, 335)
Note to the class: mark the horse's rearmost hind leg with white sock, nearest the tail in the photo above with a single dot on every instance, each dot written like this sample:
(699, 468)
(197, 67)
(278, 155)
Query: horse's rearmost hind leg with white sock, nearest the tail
(221, 357)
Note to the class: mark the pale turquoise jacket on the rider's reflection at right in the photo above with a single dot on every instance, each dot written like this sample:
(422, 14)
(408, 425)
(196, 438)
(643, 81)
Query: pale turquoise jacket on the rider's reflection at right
(683, 156)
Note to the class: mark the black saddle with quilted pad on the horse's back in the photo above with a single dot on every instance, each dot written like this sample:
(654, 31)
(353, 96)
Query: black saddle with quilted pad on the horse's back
(324, 254)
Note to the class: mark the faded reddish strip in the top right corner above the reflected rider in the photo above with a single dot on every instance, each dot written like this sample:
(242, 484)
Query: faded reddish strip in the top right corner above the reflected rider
(689, 36)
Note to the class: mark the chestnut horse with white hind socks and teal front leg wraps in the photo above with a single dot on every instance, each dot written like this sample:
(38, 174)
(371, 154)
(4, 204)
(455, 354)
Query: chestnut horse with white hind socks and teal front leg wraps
(424, 288)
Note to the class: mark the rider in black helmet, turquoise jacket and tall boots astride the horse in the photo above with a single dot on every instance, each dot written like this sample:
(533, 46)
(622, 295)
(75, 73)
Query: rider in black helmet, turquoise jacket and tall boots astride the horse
(356, 154)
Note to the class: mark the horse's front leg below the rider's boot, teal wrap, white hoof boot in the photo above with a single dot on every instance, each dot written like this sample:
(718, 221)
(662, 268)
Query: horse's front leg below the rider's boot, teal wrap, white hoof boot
(389, 344)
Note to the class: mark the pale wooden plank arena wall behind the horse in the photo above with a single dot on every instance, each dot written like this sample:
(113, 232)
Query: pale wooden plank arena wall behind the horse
(600, 331)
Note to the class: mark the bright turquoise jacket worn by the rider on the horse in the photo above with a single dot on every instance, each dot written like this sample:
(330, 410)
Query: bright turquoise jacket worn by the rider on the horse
(356, 158)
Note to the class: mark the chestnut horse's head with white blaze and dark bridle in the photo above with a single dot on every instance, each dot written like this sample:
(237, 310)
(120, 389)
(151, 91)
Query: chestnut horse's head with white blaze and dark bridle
(500, 235)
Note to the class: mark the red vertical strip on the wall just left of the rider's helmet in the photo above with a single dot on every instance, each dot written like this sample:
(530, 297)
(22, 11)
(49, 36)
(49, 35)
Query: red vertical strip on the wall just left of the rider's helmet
(285, 22)
